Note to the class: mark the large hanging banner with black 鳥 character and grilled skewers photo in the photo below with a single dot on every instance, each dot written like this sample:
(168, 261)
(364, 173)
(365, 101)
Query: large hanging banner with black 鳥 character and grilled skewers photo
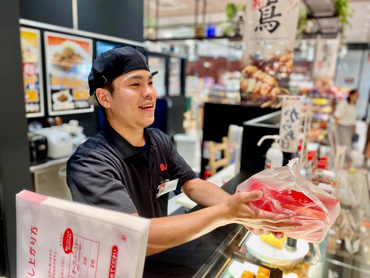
(269, 37)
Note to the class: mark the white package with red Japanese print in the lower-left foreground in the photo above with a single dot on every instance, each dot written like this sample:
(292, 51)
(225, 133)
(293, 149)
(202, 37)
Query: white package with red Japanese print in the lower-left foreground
(58, 238)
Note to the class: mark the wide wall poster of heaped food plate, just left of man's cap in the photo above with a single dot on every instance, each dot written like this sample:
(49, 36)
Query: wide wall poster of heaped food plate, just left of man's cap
(68, 63)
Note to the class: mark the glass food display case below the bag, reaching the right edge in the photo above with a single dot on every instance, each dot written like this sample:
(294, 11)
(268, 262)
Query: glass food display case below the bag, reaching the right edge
(345, 252)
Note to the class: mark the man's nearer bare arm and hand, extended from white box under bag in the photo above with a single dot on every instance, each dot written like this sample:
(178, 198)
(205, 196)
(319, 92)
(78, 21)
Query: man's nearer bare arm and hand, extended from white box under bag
(167, 232)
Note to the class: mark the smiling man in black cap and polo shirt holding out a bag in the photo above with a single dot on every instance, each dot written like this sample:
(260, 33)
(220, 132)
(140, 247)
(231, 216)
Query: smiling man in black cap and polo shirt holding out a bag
(131, 168)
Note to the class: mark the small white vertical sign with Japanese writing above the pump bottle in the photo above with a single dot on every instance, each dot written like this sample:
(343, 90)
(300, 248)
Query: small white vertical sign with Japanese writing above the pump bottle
(290, 124)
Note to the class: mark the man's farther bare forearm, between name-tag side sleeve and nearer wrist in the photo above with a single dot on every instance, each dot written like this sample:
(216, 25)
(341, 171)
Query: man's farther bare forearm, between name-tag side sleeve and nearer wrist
(204, 193)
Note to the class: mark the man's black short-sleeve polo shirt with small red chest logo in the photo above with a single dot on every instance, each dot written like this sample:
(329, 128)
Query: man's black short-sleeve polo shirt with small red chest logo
(107, 171)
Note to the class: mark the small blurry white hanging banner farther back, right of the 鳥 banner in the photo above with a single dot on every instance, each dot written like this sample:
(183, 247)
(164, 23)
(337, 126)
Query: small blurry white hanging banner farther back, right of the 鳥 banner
(326, 59)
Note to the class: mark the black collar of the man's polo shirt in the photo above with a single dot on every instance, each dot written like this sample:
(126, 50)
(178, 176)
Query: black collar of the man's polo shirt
(121, 145)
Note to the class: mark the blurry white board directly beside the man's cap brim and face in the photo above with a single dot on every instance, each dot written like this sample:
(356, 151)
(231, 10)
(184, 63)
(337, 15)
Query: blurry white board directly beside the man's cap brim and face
(158, 64)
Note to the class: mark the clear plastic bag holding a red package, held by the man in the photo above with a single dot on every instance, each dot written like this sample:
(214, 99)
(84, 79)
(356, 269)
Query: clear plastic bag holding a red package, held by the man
(285, 191)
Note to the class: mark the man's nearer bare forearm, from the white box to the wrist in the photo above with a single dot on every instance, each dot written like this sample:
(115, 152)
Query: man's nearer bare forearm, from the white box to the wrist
(168, 232)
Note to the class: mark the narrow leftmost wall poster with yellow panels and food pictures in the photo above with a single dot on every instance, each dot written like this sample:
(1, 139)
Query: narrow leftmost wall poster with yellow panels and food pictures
(32, 72)
